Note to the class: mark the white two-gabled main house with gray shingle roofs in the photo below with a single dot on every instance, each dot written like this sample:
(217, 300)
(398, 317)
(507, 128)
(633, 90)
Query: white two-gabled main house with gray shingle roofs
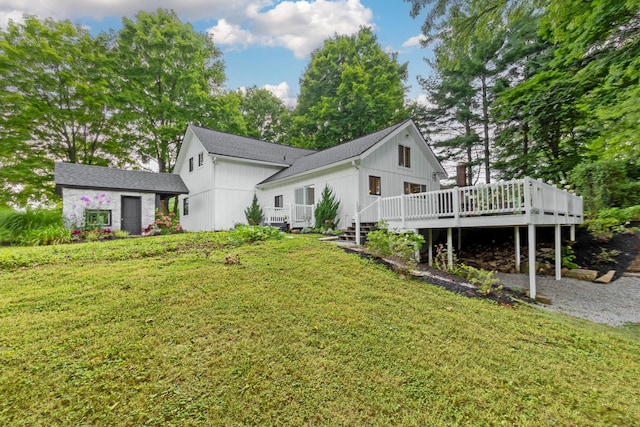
(223, 171)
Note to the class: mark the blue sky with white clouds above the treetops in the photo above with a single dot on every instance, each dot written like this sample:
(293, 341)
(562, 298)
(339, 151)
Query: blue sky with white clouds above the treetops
(265, 42)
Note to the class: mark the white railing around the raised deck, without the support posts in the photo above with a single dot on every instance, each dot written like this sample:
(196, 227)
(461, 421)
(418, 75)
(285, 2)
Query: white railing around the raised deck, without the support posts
(526, 197)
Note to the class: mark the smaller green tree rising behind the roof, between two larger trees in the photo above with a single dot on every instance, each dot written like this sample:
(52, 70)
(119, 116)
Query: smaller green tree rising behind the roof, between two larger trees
(265, 115)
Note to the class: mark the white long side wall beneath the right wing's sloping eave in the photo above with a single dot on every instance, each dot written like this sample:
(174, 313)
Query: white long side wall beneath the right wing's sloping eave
(341, 179)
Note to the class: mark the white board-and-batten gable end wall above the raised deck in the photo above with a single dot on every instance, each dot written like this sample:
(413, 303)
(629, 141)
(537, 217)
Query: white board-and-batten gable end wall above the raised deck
(384, 163)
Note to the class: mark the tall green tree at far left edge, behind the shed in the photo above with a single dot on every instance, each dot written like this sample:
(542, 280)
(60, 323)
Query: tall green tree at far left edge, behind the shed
(55, 104)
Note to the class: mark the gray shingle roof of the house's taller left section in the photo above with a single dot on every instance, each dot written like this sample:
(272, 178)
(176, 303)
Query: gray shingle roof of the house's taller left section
(227, 144)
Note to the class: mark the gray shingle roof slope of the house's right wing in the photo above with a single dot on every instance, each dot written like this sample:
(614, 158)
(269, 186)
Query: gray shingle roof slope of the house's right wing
(335, 154)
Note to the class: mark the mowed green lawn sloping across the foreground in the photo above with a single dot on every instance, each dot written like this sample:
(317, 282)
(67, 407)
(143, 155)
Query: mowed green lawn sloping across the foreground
(298, 333)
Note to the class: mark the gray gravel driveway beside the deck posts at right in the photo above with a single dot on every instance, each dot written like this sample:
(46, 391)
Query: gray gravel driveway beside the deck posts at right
(615, 304)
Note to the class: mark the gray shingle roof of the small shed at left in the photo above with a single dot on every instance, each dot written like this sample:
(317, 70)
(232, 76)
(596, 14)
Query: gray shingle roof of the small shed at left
(85, 176)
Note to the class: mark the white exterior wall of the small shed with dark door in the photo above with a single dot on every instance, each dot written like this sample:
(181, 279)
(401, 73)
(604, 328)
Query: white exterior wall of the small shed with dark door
(75, 201)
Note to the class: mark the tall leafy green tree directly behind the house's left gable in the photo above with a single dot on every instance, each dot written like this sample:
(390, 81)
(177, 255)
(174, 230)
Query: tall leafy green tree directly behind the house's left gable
(170, 75)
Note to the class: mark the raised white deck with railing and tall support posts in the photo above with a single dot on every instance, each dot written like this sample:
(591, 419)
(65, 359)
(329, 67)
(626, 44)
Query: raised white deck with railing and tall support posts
(525, 202)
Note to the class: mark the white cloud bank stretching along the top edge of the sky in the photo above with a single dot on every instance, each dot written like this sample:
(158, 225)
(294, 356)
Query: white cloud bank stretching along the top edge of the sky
(298, 25)
